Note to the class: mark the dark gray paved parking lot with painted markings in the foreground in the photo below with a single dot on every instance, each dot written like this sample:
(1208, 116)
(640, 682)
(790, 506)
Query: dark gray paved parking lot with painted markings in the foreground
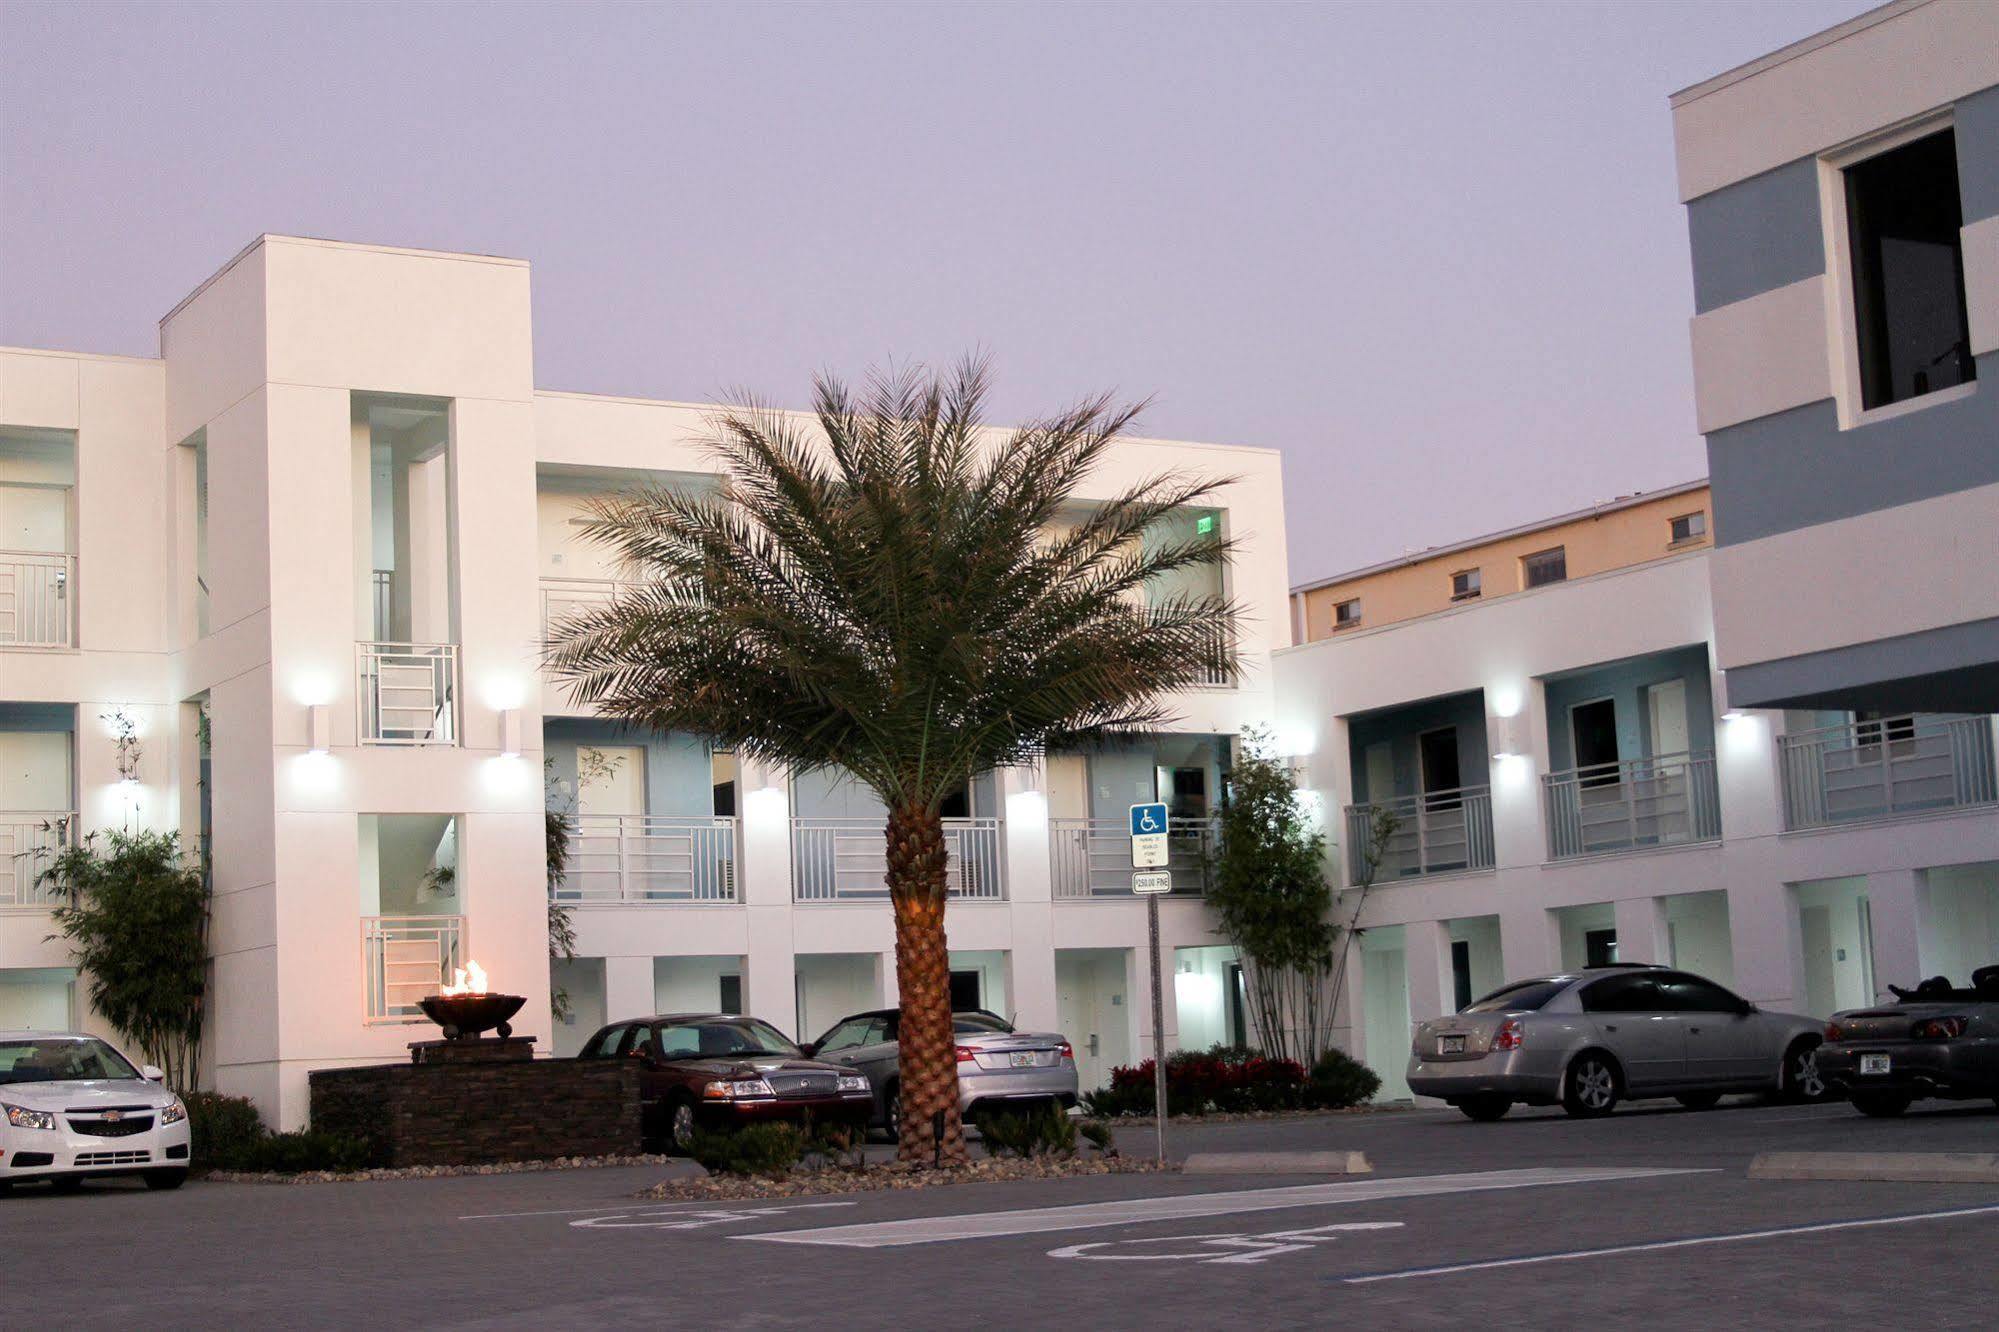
(1648, 1215)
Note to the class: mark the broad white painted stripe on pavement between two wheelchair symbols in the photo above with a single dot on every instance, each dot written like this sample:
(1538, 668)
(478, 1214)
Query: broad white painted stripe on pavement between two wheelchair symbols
(1184, 1207)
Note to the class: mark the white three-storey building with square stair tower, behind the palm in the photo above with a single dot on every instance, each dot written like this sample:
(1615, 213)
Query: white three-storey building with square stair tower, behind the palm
(307, 557)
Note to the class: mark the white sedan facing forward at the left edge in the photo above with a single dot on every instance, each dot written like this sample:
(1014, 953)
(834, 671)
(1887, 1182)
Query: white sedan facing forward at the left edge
(75, 1109)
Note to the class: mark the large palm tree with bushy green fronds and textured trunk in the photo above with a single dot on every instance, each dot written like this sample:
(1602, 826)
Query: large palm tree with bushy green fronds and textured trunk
(893, 591)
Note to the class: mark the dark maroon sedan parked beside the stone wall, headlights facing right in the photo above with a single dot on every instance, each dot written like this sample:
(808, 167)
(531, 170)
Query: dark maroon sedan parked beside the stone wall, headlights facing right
(723, 1071)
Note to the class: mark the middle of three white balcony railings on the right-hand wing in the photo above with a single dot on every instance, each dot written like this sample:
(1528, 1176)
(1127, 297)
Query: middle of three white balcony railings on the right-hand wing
(1660, 801)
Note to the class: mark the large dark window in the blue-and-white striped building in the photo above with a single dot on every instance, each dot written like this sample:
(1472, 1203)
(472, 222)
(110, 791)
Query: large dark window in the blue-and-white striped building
(1908, 271)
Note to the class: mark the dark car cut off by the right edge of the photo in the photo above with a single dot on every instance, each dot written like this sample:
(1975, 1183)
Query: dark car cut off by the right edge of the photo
(1932, 1041)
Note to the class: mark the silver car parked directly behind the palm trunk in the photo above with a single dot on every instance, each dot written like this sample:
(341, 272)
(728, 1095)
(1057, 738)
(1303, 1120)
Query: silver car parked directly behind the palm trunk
(997, 1065)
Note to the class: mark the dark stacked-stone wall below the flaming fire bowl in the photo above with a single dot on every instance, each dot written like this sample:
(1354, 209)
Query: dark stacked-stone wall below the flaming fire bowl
(475, 1113)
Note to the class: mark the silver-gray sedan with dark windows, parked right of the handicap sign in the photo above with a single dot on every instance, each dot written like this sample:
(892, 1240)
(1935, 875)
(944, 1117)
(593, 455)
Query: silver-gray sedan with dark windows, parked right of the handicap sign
(1602, 1035)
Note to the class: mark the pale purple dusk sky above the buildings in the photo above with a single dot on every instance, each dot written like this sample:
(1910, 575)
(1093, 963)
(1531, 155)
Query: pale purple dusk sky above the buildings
(1434, 253)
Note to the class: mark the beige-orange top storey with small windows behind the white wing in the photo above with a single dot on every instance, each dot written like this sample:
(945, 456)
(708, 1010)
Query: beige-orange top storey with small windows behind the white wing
(1592, 541)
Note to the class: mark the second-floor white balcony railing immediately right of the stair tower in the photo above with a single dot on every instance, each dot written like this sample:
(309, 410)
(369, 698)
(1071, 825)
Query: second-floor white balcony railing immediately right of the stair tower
(651, 859)
